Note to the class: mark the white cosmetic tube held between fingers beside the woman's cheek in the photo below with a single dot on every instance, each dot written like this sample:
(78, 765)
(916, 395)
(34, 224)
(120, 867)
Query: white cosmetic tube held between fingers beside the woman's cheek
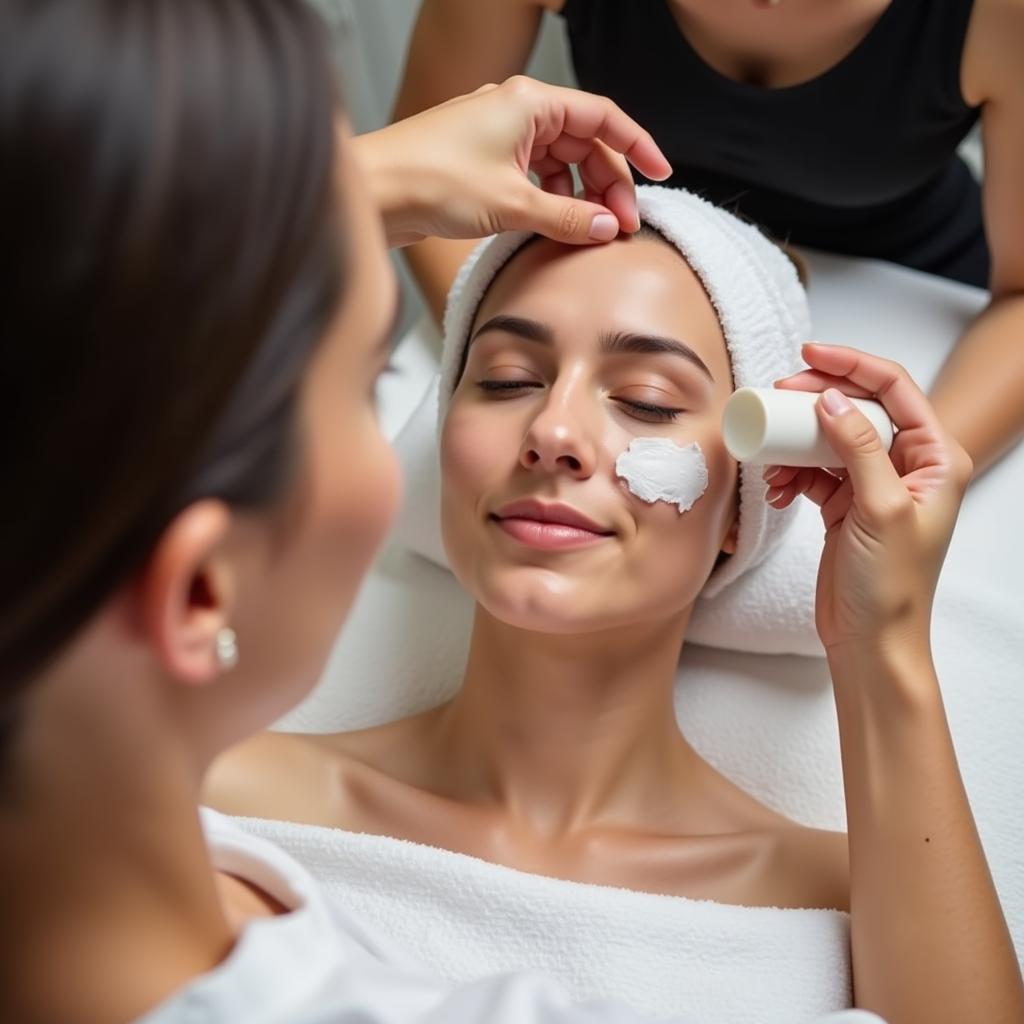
(767, 426)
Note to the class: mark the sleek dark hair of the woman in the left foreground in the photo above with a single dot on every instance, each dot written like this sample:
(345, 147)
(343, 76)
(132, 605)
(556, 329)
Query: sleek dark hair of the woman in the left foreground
(172, 254)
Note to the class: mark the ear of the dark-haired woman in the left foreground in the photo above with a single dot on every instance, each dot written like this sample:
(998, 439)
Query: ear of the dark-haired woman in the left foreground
(187, 592)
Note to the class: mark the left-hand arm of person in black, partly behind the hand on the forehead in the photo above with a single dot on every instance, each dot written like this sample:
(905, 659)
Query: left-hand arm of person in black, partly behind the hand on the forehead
(493, 41)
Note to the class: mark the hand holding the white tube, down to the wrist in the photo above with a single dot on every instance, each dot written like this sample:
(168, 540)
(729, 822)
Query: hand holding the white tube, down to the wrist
(890, 516)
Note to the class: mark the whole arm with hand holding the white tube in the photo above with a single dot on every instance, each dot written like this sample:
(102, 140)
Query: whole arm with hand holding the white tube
(930, 943)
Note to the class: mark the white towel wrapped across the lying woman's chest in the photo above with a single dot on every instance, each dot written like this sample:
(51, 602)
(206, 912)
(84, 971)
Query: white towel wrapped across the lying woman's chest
(665, 956)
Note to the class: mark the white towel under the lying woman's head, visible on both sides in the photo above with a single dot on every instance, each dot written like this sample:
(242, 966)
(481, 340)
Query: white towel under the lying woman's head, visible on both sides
(769, 611)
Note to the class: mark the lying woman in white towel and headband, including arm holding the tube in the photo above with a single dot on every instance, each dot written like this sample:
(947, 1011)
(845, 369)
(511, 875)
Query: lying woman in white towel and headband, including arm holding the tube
(552, 815)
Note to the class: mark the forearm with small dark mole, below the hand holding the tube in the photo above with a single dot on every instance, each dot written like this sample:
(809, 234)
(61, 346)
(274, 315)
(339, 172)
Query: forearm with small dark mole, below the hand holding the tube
(930, 943)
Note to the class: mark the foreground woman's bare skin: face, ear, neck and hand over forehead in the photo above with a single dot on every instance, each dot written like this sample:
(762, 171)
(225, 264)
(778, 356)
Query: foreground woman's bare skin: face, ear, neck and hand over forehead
(124, 722)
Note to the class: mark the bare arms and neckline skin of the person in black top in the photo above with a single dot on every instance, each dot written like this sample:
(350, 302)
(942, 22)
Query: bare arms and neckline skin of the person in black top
(978, 393)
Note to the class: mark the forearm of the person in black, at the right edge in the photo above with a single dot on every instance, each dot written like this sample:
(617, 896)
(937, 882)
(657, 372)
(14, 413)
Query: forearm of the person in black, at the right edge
(980, 393)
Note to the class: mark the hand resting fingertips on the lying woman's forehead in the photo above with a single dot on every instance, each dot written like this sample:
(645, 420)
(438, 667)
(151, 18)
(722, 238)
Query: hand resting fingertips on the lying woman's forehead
(460, 170)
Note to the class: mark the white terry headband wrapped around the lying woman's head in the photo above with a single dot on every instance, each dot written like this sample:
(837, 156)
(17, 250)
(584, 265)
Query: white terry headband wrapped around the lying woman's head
(761, 306)
